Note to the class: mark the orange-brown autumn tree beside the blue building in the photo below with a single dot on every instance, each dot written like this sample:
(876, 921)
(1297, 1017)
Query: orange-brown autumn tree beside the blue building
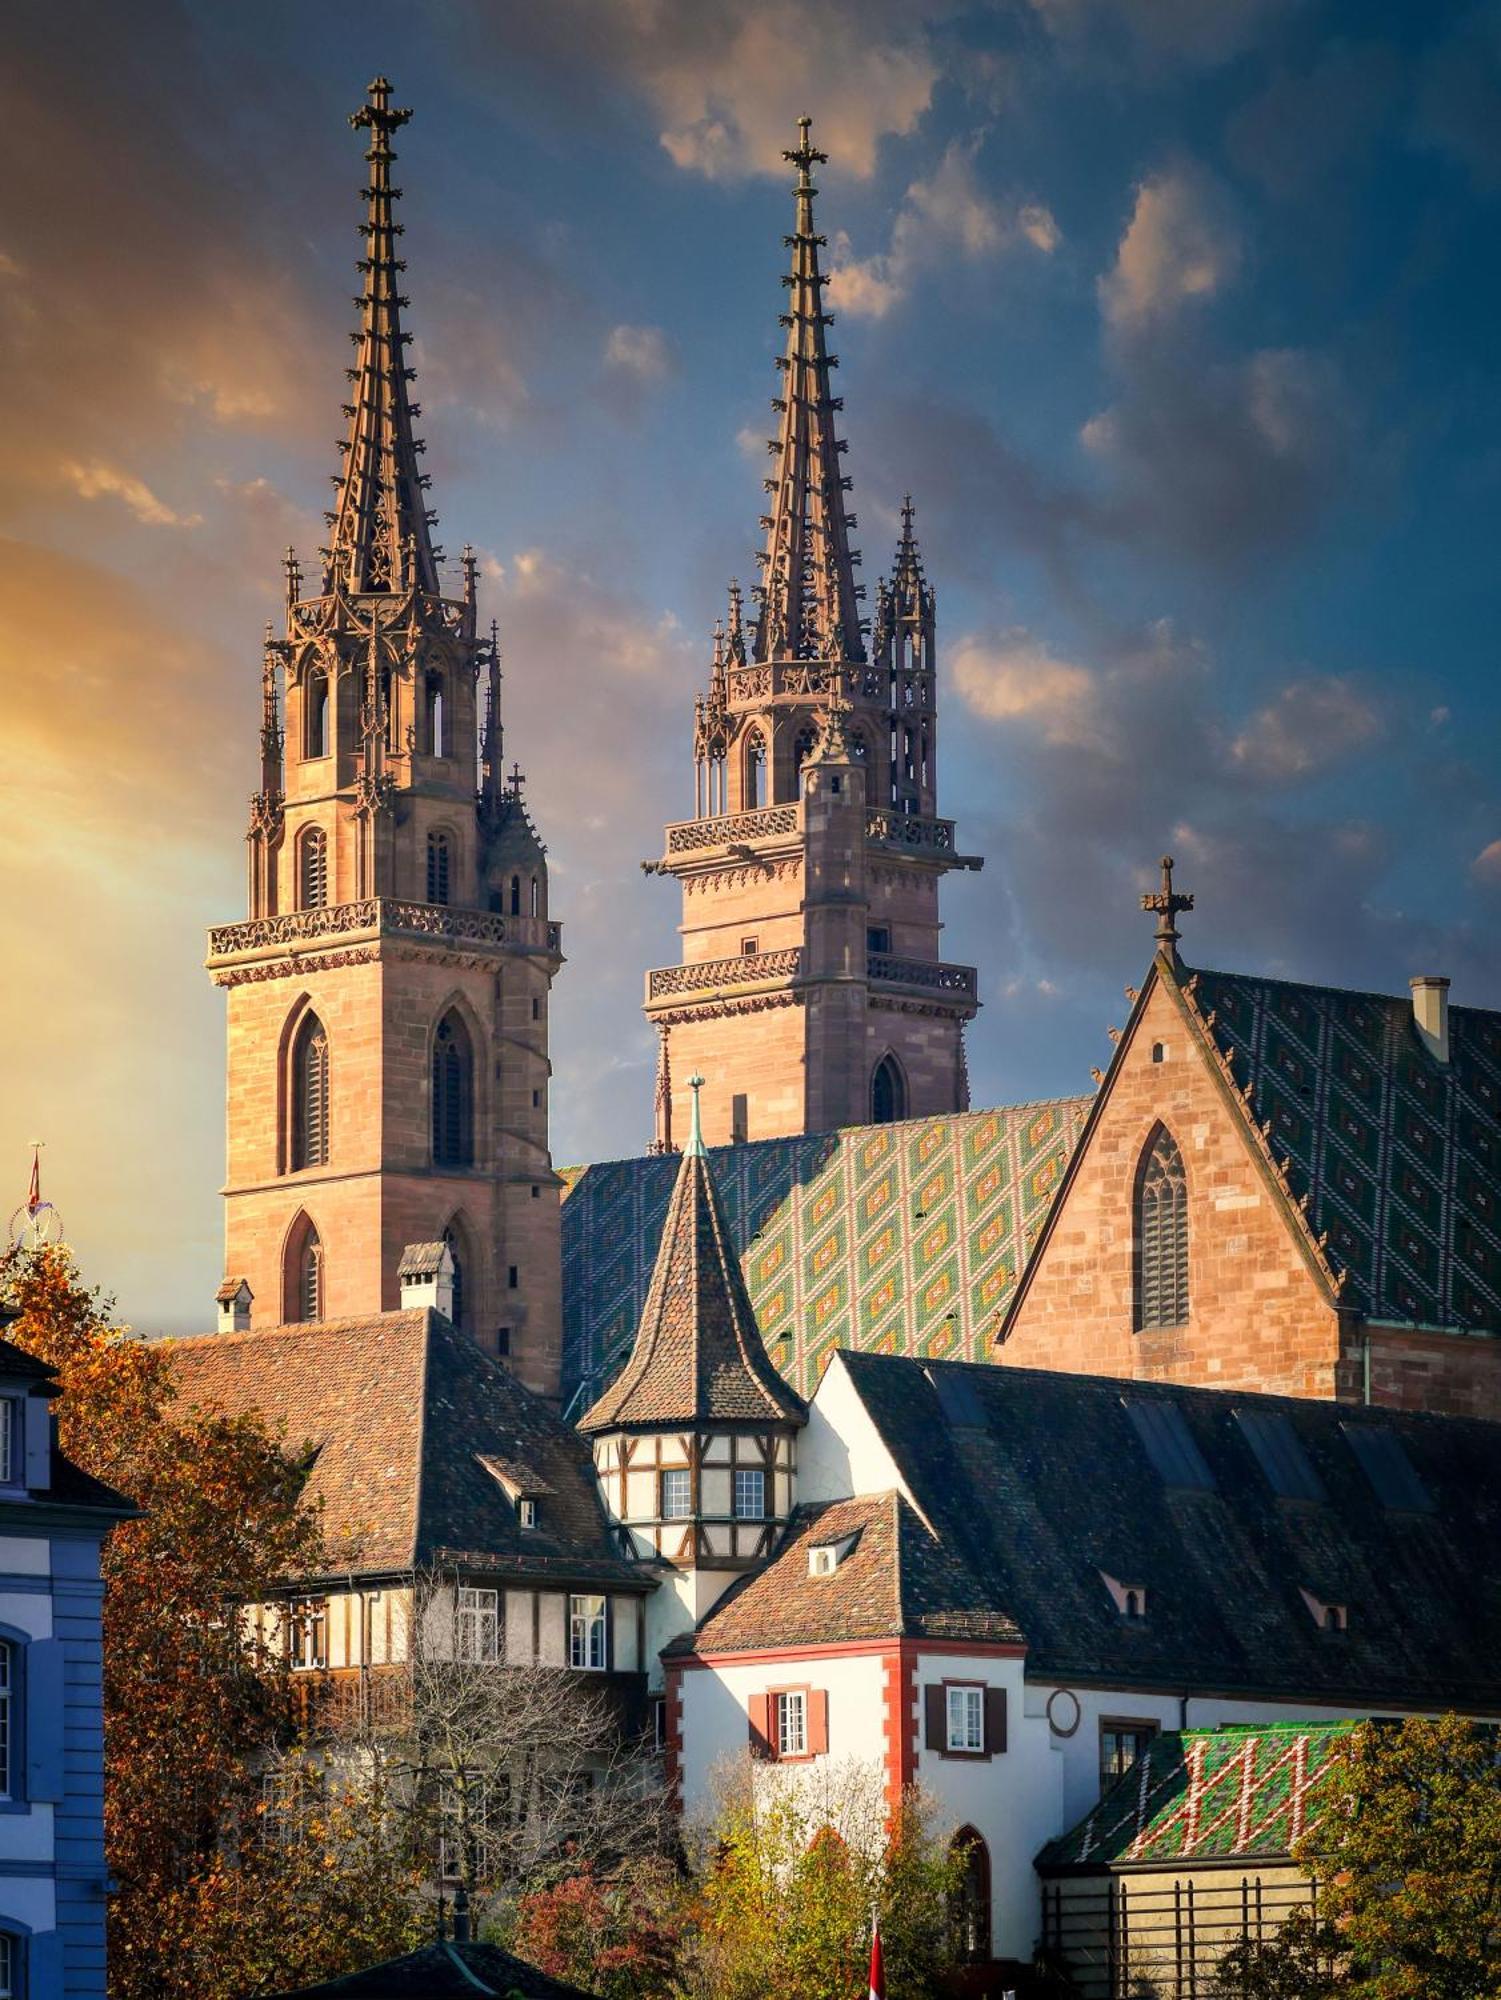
(195, 1707)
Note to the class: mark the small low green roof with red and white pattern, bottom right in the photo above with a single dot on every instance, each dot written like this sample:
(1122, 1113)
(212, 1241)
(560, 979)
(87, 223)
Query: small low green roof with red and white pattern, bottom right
(1234, 1795)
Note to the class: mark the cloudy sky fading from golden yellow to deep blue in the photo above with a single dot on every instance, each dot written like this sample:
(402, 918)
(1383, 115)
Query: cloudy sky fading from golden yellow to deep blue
(1178, 317)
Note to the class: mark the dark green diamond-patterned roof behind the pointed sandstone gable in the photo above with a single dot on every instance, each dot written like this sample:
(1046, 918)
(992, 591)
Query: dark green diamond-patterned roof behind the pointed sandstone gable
(1398, 1153)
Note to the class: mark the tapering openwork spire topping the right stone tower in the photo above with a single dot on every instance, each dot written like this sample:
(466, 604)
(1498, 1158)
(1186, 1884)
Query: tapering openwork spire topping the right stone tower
(810, 599)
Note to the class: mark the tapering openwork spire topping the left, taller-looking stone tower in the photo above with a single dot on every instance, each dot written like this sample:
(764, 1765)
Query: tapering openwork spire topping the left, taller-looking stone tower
(381, 523)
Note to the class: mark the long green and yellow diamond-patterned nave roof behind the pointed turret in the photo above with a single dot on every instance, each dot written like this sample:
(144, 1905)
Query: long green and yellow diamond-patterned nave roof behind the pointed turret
(902, 1239)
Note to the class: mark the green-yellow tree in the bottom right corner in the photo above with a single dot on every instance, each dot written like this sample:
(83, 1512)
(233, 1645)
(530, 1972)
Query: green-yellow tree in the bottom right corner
(1408, 1857)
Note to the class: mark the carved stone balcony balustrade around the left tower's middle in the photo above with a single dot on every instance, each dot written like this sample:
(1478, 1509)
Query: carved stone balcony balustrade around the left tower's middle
(301, 935)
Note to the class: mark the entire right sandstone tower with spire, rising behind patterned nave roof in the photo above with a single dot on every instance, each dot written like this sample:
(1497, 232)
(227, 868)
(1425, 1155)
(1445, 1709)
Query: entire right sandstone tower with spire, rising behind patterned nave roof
(812, 987)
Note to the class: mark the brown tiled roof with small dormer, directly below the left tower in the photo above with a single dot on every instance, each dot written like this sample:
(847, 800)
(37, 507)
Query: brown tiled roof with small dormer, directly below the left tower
(401, 1415)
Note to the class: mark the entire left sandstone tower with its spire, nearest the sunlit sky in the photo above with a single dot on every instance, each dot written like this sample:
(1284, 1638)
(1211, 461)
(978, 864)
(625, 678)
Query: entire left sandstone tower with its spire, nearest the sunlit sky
(387, 999)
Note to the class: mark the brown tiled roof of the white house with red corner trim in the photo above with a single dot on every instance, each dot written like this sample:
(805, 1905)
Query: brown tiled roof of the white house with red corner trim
(898, 1581)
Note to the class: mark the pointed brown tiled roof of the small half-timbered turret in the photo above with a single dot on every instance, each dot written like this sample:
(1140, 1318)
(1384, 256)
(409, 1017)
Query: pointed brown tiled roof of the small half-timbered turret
(699, 1355)
